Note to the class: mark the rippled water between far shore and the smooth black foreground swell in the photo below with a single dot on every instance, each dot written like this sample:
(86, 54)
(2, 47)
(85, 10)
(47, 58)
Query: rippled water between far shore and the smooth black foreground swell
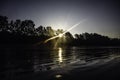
(18, 62)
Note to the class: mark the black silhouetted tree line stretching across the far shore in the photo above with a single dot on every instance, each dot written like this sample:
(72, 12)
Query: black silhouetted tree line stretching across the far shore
(24, 32)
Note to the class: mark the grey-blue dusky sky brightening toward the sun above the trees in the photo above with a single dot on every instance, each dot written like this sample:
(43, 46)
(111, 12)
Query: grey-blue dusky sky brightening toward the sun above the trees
(102, 16)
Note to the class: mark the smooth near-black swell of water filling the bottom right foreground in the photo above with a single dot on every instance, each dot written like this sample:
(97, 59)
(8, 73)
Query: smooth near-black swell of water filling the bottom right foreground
(109, 71)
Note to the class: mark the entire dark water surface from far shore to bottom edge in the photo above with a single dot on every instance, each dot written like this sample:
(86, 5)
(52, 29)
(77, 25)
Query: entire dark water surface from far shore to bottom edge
(84, 67)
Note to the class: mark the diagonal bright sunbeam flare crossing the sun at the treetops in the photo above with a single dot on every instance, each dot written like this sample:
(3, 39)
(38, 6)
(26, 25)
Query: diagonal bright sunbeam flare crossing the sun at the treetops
(60, 35)
